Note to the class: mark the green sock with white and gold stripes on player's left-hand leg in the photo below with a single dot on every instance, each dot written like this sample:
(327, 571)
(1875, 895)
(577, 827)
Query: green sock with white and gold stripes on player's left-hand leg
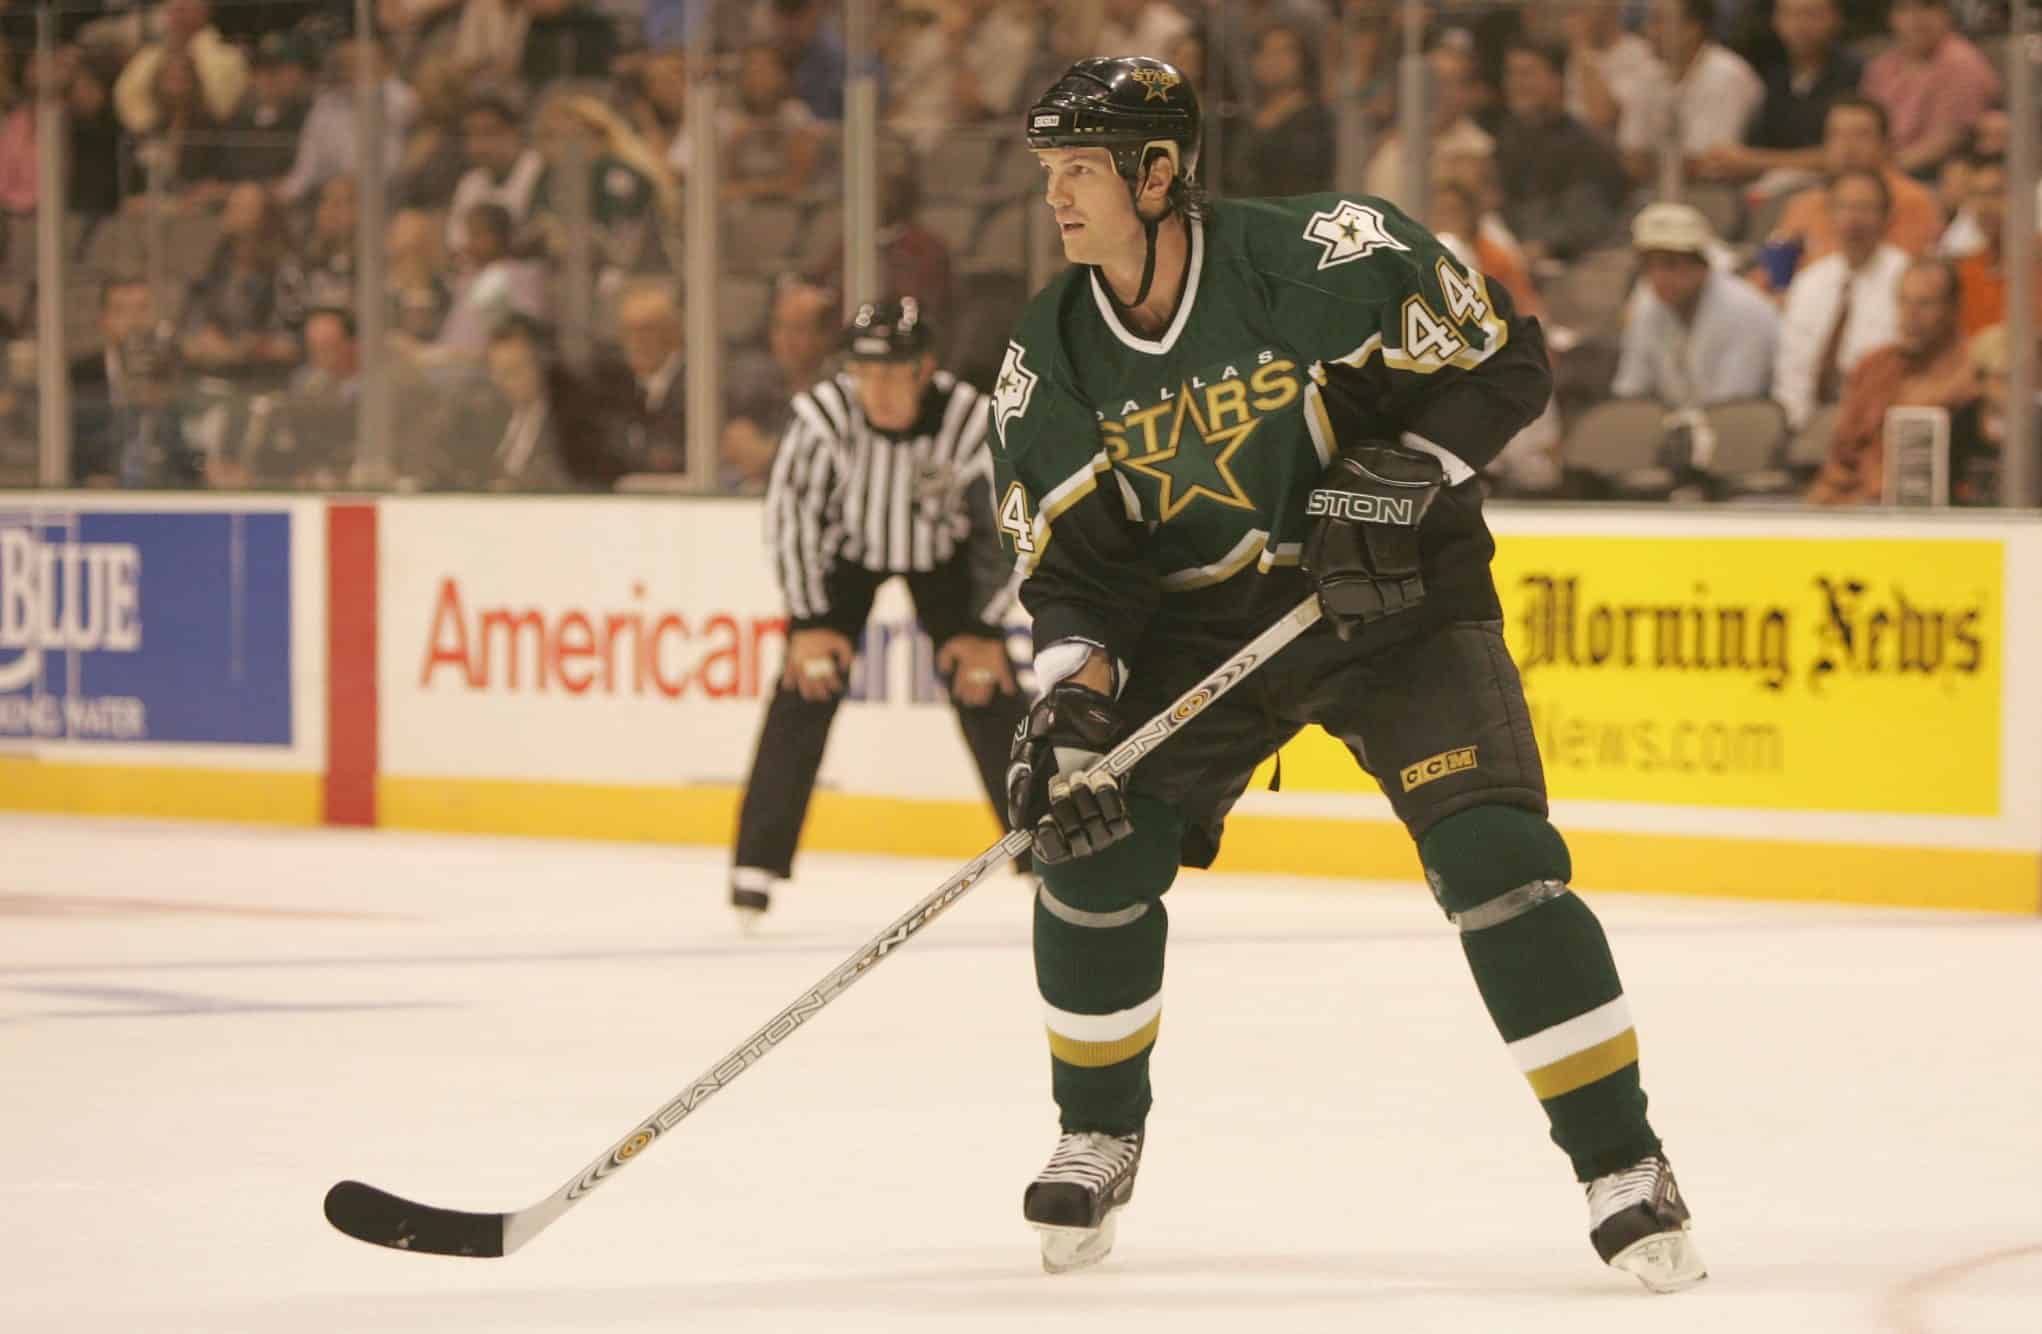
(1100, 945)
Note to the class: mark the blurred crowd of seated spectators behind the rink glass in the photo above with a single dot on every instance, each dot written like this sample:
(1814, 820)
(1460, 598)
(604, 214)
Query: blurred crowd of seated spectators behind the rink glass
(497, 244)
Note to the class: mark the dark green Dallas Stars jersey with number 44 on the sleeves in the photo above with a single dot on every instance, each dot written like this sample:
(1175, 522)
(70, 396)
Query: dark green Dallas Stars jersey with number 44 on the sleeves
(1163, 479)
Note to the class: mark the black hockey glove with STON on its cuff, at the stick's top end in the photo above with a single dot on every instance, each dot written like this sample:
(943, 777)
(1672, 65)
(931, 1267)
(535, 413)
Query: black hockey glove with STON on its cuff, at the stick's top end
(1363, 544)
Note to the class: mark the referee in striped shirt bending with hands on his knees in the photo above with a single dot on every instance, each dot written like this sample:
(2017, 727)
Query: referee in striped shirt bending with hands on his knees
(883, 473)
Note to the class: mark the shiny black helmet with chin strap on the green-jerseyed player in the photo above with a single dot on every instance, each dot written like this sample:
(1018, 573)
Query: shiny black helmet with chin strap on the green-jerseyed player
(1138, 109)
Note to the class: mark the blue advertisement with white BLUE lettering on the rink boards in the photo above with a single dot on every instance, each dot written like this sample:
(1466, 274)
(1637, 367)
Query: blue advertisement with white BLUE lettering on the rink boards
(146, 626)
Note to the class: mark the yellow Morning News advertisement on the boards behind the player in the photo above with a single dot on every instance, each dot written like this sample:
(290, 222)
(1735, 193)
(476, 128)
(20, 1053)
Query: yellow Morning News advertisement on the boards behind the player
(1776, 673)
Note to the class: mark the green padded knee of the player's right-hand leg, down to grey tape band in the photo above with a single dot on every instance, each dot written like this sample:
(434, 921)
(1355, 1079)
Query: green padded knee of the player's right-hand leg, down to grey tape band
(1494, 863)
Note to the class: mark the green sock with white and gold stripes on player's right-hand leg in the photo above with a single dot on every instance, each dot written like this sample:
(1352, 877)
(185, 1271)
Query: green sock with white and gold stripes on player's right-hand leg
(1547, 975)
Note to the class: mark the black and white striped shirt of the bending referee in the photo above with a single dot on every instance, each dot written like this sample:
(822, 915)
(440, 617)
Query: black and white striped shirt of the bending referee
(844, 491)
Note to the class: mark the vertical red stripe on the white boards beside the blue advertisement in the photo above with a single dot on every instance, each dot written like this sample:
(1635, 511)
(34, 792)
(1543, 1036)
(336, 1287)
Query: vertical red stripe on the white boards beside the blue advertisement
(350, 665)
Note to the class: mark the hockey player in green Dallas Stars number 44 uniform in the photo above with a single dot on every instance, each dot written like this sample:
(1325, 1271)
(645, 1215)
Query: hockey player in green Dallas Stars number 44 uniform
(1222, 408)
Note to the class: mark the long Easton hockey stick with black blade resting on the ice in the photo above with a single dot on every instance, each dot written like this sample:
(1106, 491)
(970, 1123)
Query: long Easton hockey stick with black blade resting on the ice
(387, 1221)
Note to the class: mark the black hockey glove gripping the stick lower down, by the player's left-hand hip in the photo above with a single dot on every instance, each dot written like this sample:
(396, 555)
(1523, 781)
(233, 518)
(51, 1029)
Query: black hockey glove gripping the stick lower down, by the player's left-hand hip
(1047, 788)
